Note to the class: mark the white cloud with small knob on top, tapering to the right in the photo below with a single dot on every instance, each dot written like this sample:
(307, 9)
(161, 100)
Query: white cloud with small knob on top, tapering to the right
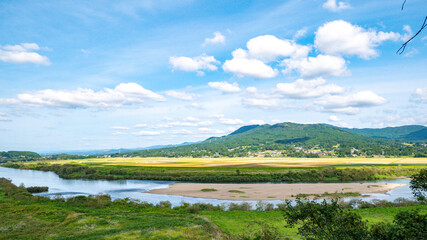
(241, 66)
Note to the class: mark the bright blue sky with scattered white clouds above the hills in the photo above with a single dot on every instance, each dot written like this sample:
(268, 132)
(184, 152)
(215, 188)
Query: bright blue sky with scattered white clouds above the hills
(126, 74)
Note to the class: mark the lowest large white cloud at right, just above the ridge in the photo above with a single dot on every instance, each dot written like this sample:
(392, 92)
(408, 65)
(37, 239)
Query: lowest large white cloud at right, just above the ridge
(350, 104)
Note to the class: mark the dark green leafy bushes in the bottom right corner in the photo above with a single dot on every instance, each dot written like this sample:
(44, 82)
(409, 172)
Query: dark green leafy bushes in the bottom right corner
(331, 221)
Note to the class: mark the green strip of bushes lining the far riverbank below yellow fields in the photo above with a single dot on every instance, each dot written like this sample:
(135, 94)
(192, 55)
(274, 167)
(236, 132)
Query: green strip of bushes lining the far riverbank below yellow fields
(204, 175)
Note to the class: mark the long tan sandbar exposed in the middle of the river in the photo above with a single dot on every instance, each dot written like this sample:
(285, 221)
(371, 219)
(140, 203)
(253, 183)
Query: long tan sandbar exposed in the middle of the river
(270, 191)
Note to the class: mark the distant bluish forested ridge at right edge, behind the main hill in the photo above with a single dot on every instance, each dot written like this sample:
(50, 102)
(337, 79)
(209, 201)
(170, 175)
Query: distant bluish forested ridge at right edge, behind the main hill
(408, 133)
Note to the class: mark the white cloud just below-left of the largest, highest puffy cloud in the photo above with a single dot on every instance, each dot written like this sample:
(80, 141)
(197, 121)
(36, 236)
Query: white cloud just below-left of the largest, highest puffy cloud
(322, 65)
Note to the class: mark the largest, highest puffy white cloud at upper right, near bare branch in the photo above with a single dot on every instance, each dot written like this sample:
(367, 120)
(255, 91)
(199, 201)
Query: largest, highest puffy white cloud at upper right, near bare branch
(342, 38)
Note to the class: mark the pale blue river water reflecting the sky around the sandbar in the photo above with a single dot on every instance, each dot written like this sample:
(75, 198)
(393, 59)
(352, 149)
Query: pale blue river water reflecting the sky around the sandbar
(135, 189)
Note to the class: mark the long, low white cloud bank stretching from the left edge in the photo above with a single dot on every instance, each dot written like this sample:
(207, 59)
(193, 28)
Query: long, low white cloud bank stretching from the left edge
(122, 95)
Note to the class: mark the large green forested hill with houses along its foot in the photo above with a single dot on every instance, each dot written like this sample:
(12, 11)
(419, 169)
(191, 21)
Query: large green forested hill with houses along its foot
(298, 140)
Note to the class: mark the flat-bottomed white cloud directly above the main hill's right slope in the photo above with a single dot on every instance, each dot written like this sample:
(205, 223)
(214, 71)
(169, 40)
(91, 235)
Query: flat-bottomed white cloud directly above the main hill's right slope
(301, 88)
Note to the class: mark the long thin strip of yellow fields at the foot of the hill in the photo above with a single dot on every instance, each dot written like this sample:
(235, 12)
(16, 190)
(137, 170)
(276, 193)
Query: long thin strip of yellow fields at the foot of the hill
(243, 162)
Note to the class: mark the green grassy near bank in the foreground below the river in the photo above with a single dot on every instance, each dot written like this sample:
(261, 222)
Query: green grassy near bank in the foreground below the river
(23, 216)
